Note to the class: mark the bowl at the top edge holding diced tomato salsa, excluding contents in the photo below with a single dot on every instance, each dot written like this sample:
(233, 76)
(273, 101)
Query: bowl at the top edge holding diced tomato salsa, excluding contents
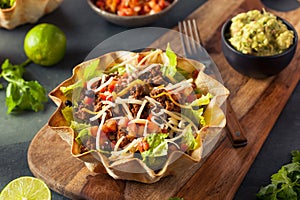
(131, 21)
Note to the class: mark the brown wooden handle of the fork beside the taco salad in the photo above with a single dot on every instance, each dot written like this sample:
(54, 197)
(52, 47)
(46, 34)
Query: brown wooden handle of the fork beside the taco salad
(235, 130)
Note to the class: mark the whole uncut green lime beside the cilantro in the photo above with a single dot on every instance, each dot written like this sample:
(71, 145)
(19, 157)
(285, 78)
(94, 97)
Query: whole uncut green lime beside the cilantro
(45, 44)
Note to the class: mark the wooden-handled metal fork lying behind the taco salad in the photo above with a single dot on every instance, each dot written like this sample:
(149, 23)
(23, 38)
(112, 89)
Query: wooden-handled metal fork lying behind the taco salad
(192, 46)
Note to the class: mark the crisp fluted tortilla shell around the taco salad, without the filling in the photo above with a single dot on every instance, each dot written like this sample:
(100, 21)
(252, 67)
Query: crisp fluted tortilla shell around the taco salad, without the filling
(127, 165)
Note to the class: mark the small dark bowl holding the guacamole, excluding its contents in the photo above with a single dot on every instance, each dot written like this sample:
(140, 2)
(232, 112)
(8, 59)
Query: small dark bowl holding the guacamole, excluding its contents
(257, 66)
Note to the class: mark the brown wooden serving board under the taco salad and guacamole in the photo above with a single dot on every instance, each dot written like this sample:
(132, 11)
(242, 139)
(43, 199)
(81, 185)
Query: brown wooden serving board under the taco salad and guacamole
(257, 103)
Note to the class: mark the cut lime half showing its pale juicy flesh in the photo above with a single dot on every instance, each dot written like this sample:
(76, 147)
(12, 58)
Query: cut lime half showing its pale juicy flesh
(26, 188)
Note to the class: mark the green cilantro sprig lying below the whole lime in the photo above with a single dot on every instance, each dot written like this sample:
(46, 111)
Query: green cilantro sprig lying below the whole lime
(21, 94)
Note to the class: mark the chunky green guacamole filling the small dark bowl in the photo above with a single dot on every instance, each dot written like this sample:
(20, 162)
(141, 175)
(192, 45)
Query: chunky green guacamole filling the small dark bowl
(259, 33)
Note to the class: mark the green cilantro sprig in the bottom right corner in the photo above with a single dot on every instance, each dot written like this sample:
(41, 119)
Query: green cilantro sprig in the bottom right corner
(285, 184)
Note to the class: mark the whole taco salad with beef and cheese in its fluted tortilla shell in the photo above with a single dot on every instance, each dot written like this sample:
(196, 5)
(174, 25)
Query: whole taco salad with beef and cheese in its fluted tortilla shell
(139, 116)
